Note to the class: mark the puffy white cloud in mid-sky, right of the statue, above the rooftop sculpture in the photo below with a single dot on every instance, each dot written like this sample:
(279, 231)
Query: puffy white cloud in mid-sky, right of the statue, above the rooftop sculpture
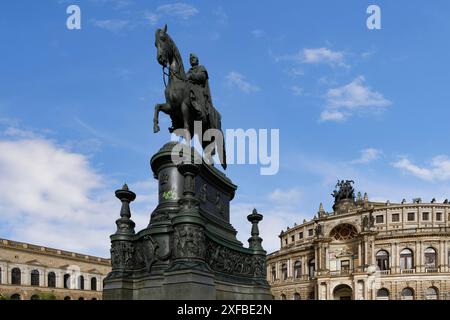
(355, 96)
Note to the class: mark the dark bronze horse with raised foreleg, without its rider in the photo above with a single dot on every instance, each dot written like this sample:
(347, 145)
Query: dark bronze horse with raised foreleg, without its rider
(178, 105)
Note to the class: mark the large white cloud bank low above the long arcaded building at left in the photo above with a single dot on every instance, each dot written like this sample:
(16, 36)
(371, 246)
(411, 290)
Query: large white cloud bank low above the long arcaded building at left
(53, 197)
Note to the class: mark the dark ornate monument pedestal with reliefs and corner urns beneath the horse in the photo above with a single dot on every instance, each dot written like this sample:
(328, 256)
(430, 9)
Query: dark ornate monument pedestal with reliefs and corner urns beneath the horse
(189, 249)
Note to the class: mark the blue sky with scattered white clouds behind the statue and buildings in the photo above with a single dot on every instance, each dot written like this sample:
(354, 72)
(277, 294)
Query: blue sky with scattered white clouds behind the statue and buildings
(351, 103)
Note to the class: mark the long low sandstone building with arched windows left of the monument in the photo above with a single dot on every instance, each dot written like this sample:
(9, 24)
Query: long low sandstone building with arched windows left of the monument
(29, 272)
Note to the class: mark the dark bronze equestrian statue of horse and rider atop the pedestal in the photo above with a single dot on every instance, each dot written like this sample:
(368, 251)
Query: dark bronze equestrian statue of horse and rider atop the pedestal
(188, 97)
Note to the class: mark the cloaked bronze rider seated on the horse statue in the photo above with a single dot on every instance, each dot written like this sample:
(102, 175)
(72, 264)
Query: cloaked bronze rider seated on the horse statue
(200, 95)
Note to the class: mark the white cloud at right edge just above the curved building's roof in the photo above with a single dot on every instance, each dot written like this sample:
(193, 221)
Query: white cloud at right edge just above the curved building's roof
(439, 169)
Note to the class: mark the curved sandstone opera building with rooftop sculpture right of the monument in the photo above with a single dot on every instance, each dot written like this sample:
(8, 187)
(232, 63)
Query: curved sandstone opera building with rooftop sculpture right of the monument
(365, 250)
